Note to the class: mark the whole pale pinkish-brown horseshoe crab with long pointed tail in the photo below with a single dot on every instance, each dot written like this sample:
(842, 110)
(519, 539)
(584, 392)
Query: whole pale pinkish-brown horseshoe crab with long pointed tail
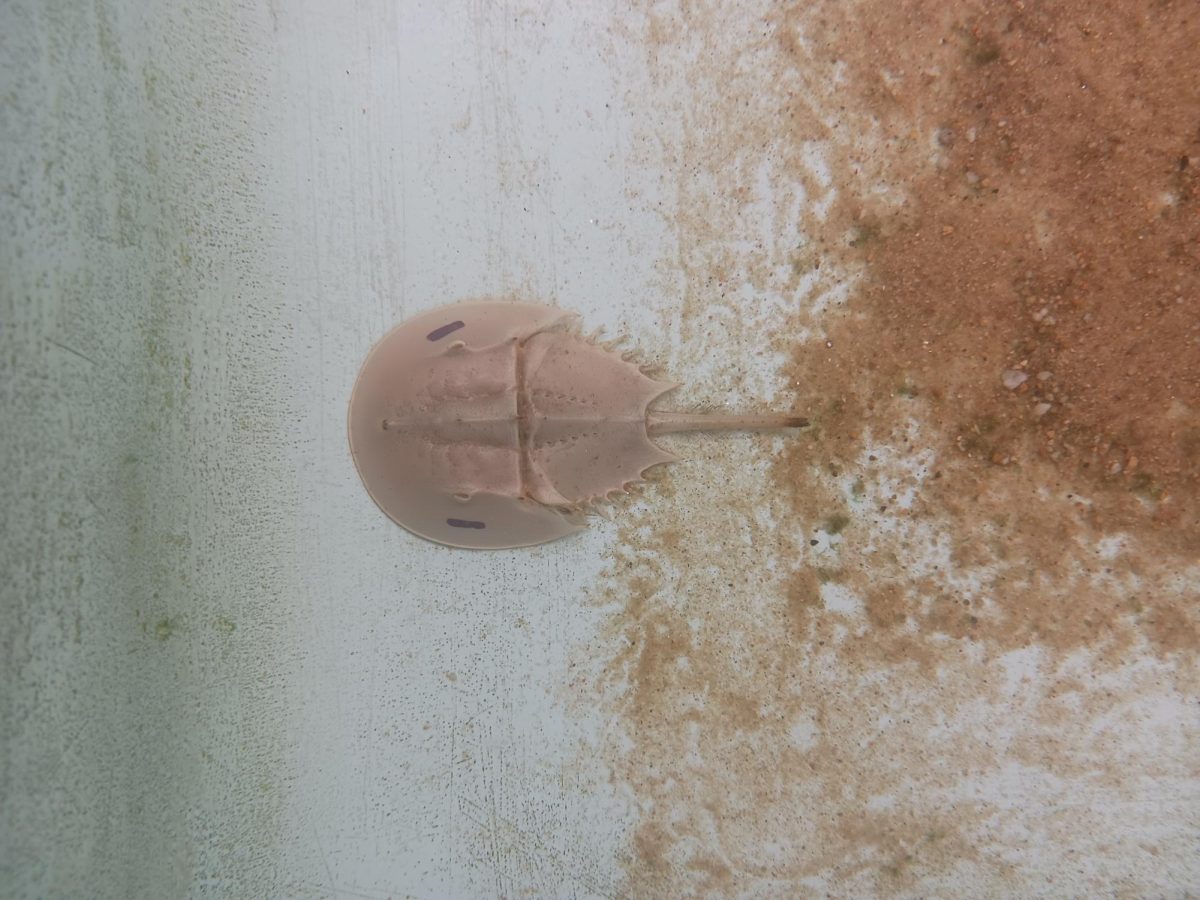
(489, 425)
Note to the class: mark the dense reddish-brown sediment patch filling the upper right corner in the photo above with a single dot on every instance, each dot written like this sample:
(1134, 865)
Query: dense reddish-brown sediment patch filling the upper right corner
(1039, 291)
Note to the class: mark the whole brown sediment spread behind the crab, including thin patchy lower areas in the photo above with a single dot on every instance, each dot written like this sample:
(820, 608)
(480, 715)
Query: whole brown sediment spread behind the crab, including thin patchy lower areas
(983, 555)
